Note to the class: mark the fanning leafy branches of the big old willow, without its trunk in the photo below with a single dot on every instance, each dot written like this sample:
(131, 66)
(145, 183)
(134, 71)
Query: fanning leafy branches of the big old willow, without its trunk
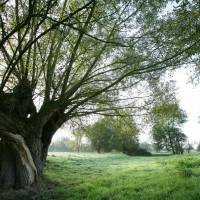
(77, 54)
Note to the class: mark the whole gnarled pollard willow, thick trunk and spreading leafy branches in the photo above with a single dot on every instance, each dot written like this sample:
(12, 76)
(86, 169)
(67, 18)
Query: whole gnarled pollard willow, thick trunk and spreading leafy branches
(66, 59)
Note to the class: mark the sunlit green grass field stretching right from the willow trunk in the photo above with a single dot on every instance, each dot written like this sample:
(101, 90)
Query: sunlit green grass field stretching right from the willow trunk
(119, 177)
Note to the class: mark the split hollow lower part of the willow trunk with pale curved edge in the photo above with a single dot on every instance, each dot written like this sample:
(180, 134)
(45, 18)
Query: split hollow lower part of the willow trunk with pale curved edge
(17, 169)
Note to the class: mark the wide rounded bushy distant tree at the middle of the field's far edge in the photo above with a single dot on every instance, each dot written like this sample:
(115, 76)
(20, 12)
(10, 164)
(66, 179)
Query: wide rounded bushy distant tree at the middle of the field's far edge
(113, 133)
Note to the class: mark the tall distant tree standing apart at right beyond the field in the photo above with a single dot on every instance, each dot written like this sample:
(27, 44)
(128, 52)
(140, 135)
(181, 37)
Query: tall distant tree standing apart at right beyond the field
(167, 119)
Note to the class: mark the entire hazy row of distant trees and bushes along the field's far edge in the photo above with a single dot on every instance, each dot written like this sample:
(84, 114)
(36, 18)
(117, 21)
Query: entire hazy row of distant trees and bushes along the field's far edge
(122, 133)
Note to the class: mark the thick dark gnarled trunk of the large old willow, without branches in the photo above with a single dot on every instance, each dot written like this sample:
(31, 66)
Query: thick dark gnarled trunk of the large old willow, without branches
(24, 140)
